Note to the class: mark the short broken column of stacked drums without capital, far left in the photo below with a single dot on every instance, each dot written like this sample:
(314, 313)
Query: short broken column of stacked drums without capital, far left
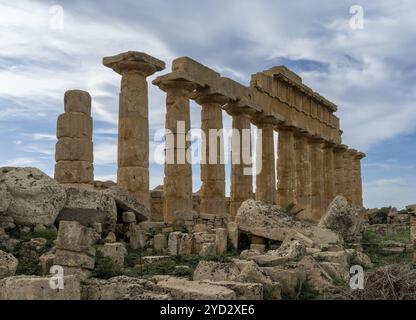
(74, 150)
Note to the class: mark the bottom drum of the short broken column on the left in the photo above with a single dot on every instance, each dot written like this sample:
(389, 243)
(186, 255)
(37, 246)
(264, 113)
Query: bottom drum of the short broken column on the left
(74, 172)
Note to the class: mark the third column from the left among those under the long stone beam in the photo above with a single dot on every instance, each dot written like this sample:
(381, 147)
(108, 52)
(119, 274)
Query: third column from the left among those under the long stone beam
(241, 172)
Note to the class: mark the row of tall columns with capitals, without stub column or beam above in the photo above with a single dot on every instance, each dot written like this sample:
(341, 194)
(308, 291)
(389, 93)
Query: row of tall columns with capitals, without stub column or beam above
(310, 171)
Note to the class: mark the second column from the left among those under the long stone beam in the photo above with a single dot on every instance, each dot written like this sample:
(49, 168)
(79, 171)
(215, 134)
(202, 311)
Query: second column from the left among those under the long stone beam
(212, 191)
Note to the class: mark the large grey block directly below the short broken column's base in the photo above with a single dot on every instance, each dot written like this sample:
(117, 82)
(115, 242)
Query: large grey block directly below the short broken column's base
(89, 206)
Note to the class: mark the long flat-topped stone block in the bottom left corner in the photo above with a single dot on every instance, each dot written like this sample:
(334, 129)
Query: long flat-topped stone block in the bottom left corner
(38, 288)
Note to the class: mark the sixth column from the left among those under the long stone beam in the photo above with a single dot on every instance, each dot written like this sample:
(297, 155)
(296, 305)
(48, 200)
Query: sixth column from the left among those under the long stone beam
(303, 174)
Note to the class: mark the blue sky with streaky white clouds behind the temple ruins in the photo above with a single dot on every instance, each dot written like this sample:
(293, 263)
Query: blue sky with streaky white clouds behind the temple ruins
(48, 47)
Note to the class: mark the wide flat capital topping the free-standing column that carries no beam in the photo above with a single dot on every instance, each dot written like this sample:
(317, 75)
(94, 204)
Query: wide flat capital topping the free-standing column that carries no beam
(133, 61)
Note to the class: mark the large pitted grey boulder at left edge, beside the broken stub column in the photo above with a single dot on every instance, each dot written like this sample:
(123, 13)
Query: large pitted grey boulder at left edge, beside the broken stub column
(36, 199)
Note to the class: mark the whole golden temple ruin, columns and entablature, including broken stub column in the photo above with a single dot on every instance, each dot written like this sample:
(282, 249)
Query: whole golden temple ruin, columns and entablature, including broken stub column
(312, 167)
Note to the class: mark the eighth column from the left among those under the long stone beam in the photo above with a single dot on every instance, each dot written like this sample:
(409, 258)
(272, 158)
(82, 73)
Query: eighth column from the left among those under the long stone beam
(329, 173)
